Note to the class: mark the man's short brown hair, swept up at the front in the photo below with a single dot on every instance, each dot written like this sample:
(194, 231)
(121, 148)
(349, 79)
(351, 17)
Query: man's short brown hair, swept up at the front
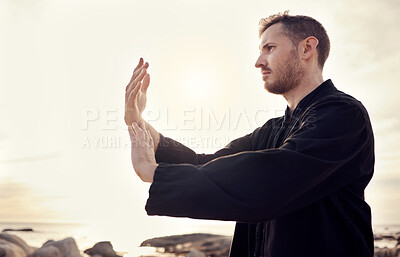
(298, 28)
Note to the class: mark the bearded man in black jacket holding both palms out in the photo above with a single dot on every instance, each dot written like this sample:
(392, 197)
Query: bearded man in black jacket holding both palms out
(296, 185)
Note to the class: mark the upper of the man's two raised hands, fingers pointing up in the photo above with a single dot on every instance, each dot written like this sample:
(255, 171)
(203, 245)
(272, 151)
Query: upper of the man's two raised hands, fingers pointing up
(135, 93)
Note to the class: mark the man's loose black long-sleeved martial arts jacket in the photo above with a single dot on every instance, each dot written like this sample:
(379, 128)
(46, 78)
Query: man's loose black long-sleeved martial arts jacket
(295, 186)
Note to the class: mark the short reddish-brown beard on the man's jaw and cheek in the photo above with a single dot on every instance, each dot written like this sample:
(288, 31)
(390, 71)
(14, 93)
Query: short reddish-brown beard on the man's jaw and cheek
(288, 75)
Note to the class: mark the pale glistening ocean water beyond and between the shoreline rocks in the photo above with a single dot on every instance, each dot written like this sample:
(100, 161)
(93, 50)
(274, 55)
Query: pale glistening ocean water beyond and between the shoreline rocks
(86, 237)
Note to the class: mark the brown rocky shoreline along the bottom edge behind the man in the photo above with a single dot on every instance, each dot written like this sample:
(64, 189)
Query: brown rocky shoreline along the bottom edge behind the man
(188, 245)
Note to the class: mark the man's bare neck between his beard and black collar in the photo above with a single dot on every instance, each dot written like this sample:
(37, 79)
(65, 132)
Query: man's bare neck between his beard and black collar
(306, 86)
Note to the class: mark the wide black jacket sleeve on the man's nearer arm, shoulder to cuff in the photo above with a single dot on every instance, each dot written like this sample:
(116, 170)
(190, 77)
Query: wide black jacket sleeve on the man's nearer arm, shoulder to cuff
(332, 147)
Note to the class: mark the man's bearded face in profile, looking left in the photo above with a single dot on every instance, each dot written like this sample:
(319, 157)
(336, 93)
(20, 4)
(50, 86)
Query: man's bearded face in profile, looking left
(279, 61)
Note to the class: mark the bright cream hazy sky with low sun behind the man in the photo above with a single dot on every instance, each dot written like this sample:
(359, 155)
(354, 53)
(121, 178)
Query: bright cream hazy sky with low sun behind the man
(64, 65)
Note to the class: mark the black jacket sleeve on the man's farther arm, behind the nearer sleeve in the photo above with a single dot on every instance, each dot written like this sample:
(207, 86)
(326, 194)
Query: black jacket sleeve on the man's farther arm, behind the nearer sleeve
(173, 152)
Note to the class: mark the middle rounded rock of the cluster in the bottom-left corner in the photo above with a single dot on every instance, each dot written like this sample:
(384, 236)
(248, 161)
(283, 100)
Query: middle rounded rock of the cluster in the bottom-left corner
(66, 248)
